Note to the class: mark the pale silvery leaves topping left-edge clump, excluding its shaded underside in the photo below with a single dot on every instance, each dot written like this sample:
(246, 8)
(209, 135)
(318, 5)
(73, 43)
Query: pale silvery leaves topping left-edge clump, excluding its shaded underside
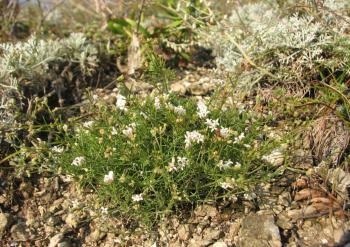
(30, 65)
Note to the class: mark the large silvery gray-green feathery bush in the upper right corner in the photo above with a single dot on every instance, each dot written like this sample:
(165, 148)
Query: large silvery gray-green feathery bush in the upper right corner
(261, 41)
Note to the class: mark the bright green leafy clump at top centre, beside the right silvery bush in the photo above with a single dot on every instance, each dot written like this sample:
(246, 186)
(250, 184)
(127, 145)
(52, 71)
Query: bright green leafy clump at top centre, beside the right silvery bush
(170, 26)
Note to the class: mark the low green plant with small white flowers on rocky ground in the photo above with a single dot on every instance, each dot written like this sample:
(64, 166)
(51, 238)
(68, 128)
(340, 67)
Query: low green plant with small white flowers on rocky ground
(149, 157)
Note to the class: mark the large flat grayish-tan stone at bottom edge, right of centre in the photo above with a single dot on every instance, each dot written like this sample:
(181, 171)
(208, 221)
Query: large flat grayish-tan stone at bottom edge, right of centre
(259, 231)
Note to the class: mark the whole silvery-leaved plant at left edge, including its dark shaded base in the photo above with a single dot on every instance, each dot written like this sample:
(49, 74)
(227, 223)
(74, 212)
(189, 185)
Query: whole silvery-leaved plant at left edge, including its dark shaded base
(38, 75)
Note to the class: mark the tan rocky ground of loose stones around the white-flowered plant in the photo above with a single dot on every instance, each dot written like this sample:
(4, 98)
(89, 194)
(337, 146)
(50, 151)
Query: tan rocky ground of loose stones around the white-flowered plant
(300, 208)
